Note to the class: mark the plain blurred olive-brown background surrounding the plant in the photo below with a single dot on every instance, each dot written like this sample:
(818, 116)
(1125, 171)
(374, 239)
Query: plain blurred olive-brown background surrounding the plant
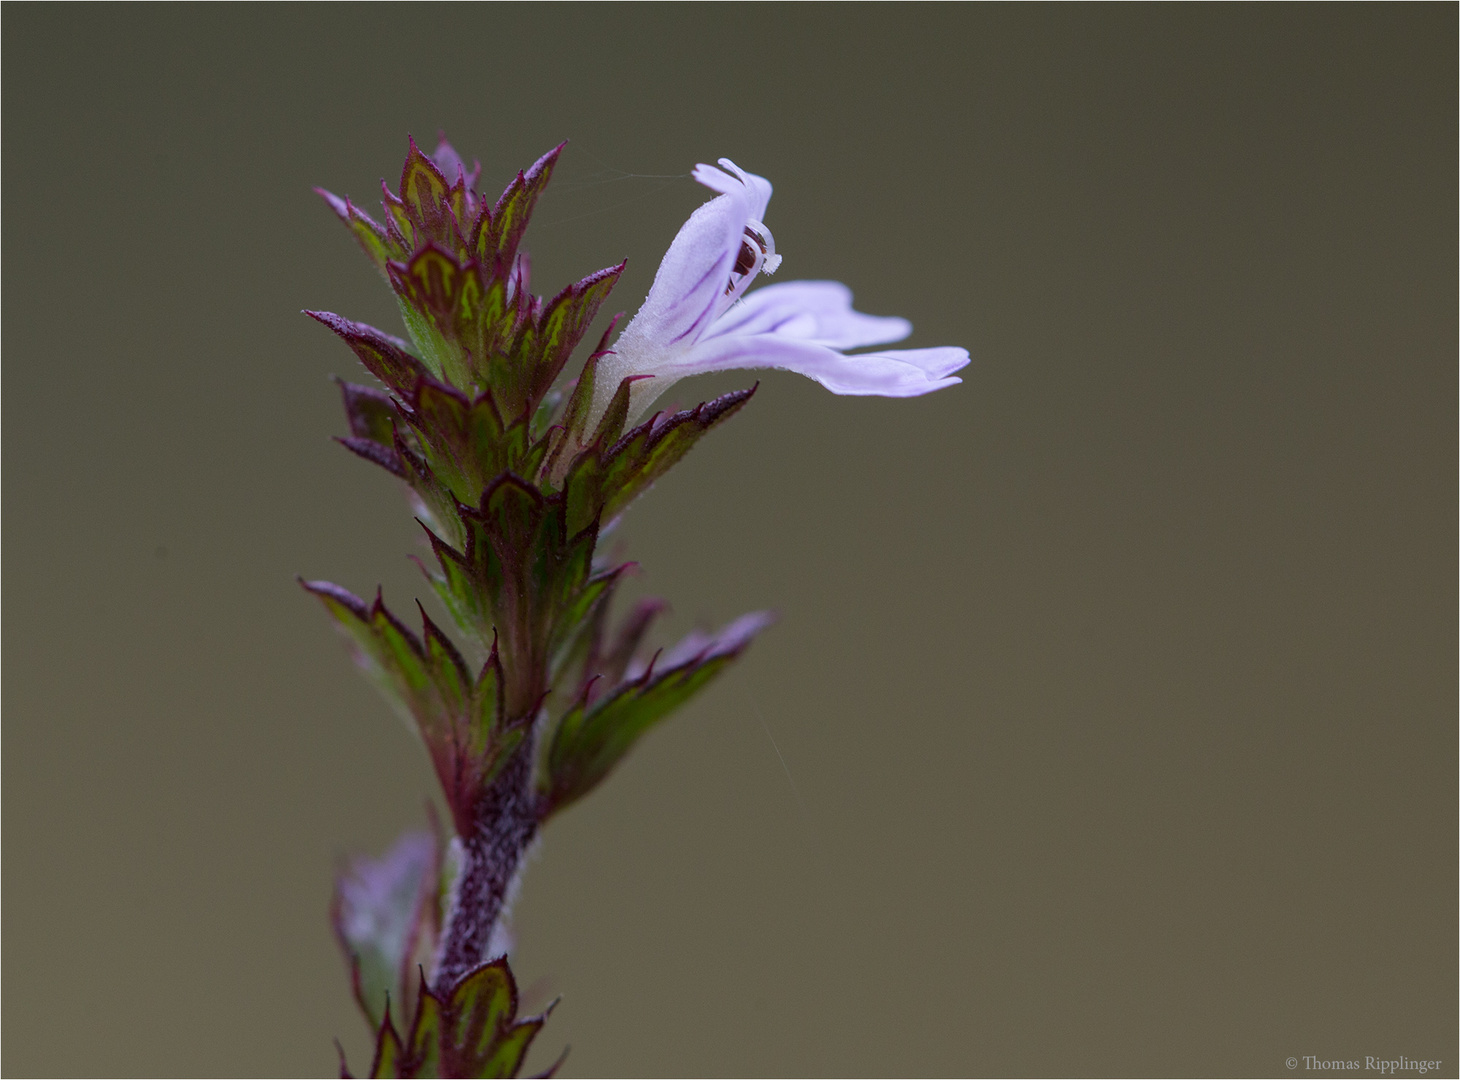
(1110, 725)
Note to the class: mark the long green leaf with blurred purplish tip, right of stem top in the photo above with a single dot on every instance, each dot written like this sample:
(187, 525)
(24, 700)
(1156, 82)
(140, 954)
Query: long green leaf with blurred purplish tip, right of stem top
(592, 739)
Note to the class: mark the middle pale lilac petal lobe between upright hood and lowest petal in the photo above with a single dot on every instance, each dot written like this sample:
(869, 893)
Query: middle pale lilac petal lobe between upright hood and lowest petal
(810, 312)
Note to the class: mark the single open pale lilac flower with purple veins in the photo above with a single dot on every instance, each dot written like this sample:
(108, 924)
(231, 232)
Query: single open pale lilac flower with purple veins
(697, 317)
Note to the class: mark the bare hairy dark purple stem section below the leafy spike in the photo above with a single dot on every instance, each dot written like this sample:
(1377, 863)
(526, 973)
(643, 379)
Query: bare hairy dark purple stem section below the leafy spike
(506, 824)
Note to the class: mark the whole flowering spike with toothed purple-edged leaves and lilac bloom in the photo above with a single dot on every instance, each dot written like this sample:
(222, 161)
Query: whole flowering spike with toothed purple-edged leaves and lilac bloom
(526, 695)
